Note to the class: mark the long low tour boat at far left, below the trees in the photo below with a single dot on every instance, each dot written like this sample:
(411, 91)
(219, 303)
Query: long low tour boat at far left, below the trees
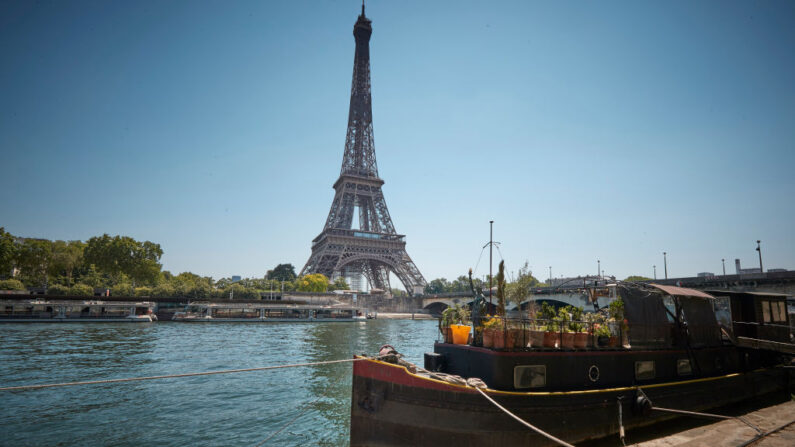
(54, 311)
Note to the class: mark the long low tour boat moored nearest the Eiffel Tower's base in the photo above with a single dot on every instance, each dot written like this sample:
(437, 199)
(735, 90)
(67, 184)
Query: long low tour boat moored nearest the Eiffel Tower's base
(267, 313)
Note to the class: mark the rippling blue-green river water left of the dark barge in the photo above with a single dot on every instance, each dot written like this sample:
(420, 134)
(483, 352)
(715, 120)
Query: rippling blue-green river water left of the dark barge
(241, 409)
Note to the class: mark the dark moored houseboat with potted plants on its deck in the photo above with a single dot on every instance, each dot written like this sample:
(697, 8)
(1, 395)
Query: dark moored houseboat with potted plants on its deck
(656, 347)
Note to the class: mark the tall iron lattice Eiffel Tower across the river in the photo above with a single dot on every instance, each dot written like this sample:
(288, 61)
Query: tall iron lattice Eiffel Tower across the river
(374, 249)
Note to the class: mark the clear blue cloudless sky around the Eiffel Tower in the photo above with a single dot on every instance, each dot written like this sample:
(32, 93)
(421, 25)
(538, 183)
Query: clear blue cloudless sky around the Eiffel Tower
(585, 130)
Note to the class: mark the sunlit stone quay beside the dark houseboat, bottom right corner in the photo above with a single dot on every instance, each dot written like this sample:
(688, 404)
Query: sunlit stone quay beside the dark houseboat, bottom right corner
(735, 433)
